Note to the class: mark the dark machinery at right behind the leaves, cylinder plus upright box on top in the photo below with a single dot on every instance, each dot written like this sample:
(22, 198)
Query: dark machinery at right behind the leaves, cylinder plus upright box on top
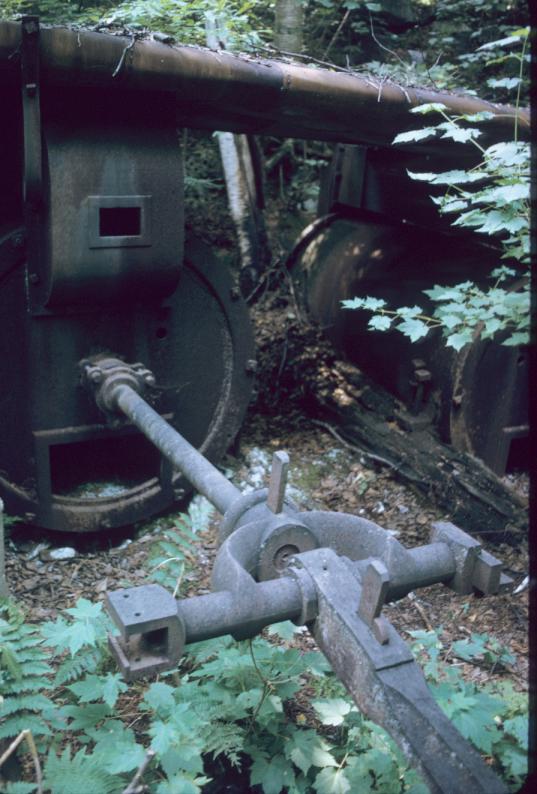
(378, 236)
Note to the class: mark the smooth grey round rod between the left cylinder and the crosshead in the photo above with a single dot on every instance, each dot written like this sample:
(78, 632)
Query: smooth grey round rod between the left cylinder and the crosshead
(199, 472)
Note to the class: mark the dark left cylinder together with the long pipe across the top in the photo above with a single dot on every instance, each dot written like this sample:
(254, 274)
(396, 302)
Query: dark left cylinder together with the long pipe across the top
(93, 265)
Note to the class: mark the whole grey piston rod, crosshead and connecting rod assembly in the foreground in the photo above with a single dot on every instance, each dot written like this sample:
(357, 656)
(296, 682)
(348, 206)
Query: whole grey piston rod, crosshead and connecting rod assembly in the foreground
(329, 571)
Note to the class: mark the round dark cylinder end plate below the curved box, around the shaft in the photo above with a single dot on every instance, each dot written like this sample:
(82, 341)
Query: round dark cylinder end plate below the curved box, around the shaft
(197, 342)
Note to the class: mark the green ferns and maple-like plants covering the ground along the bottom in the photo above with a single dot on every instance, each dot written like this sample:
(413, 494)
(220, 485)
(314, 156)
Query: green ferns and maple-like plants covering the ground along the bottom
(260, 709)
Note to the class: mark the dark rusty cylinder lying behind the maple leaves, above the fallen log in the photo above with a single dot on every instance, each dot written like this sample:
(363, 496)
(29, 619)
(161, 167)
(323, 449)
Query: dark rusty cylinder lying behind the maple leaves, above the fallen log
(360, 253)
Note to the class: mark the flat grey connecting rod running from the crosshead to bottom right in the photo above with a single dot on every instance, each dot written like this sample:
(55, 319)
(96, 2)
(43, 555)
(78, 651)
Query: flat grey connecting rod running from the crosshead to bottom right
(388, 685)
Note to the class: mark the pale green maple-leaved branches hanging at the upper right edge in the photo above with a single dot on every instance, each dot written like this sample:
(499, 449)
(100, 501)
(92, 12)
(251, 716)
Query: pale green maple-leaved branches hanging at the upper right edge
(492, 198)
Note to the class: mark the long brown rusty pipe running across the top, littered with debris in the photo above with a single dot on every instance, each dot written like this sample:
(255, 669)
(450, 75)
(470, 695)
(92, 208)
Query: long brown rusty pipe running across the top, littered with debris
(218, 90)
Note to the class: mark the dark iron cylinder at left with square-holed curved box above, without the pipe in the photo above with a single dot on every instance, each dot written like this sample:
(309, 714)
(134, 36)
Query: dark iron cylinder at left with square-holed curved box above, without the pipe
(93, 259)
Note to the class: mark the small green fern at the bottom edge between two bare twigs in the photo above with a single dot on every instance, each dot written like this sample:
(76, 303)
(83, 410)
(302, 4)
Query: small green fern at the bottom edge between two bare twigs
(83, 773)
